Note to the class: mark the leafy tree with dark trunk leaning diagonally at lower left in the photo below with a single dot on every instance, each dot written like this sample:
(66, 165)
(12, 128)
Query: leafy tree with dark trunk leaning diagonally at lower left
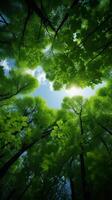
(29, 121)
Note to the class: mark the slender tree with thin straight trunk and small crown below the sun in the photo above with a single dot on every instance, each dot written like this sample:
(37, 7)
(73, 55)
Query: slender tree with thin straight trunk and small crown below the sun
(75, 105)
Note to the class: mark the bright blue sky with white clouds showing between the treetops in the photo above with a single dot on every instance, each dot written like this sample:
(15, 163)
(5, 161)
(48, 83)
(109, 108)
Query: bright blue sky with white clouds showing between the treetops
(45, 89)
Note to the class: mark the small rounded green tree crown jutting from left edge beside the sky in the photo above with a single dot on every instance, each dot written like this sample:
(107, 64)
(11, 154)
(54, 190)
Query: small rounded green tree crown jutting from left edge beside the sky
(16, 83)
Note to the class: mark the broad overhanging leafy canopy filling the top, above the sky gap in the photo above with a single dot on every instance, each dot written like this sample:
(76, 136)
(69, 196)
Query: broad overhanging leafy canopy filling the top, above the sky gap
(77, 37)
